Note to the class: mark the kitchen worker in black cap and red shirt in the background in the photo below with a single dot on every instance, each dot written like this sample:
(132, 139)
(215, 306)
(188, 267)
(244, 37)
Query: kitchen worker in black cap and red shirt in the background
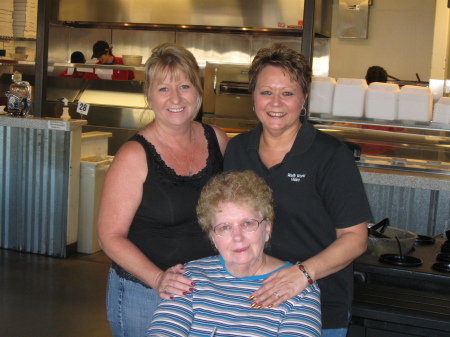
(102, 51)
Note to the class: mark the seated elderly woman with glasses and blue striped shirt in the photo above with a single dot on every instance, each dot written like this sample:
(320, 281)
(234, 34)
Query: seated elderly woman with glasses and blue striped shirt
(236, 210)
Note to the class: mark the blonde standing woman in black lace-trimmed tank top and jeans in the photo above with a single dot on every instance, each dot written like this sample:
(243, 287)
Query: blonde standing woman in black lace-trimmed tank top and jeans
(147, 223)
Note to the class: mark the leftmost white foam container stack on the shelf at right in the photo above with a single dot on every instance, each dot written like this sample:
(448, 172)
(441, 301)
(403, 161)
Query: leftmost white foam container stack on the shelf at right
(349, 95)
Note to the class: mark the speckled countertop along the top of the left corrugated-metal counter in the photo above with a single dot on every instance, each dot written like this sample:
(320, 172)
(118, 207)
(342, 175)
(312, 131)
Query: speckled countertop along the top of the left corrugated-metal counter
(41, 123)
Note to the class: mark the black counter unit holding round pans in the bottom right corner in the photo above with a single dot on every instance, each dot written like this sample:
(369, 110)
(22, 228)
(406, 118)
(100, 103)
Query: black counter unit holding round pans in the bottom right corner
(393, 300)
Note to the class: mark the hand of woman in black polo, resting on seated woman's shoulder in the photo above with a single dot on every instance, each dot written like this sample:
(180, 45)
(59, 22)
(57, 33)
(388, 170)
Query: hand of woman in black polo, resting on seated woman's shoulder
(279, 287)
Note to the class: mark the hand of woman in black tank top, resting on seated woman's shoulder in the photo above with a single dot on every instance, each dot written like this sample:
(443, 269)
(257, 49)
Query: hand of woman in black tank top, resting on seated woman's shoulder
(171, 282)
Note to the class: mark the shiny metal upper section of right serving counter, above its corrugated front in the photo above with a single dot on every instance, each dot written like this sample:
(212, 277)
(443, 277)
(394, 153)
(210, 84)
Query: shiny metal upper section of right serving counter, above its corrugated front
(414, 148)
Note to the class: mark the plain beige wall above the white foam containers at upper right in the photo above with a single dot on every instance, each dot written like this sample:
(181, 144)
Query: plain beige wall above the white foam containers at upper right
(400, 39)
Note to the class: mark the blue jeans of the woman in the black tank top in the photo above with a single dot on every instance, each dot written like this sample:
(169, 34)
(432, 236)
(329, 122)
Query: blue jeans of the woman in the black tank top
(129, 306)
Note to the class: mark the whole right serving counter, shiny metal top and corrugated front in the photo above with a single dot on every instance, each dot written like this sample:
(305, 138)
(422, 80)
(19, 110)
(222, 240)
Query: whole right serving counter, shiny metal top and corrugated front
(405, 171)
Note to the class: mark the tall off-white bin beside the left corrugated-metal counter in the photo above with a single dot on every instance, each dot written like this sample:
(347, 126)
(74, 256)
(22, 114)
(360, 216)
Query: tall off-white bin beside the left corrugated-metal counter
(92, 176)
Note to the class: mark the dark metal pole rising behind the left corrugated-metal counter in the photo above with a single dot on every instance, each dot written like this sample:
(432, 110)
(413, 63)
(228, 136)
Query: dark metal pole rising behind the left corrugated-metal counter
(40, 85)
